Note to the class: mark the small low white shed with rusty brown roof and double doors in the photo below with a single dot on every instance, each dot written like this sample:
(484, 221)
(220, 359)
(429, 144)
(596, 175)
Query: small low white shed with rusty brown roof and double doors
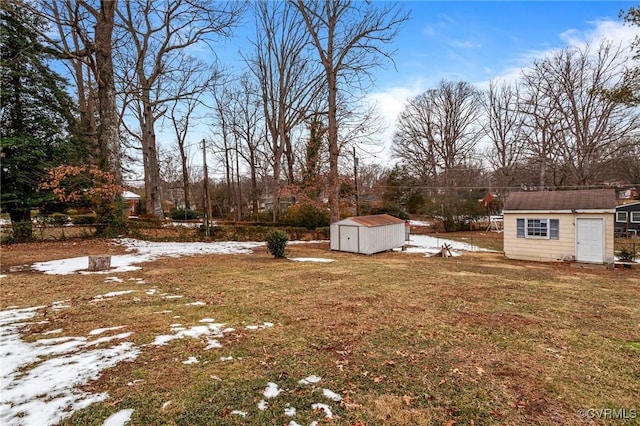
(368, 234)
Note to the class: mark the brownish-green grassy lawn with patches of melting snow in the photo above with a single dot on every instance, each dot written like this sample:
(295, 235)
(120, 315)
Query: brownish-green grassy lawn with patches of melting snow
(404, 339)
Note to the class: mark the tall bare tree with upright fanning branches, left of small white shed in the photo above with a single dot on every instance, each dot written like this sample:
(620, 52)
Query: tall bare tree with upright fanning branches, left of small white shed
(288, 79)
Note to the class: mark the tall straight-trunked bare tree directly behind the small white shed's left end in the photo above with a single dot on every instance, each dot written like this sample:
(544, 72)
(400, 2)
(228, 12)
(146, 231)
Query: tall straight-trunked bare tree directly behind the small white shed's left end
(349, 38)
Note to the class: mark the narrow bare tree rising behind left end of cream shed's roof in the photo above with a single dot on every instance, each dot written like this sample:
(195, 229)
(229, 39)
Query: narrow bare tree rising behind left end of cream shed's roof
(505, 128)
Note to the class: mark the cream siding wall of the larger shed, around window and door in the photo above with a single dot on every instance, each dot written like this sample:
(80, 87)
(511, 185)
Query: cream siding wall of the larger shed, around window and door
(547, 250)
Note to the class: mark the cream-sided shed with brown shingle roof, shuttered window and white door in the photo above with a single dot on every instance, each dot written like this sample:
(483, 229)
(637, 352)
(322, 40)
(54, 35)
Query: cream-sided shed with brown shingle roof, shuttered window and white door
(560, 225)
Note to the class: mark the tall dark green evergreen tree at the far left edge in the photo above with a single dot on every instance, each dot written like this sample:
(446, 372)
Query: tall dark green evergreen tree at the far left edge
(36, 116)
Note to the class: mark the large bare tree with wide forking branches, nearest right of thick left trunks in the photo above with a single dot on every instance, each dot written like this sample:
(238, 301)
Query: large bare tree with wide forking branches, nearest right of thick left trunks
(156, 36)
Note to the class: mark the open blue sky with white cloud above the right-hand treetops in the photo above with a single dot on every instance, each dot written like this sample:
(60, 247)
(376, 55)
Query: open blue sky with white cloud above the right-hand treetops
(476, 41)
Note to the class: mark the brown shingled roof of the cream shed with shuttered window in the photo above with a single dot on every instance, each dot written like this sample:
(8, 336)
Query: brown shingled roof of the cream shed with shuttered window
(588, 199)
